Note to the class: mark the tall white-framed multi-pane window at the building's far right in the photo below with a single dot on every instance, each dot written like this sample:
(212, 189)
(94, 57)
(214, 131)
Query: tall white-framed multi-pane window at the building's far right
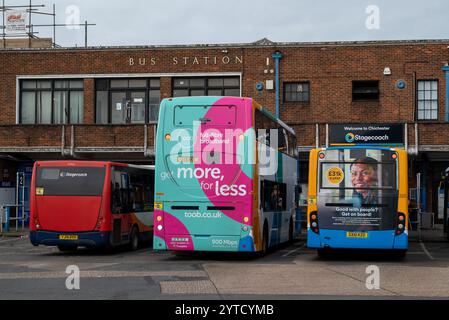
(427, 99)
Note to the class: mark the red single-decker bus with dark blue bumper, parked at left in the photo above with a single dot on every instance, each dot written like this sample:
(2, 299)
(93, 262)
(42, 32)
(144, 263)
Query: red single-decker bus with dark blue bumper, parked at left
(91, 204)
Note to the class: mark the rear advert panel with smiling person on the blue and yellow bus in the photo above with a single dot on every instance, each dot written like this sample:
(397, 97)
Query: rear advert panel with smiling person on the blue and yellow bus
(358, 190)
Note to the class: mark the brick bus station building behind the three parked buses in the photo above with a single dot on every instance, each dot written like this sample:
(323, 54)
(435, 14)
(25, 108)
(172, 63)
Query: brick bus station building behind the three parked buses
(102, 103)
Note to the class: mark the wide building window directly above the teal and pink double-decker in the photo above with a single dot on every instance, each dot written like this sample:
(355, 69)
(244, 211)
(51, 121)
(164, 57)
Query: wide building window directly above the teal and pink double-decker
(185, 87)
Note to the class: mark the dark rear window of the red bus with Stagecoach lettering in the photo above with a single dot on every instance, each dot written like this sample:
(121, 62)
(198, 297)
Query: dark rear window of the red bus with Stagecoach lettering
(70, 181)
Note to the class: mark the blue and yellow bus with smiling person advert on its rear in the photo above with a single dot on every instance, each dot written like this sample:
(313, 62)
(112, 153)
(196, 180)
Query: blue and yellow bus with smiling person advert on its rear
(358, 199)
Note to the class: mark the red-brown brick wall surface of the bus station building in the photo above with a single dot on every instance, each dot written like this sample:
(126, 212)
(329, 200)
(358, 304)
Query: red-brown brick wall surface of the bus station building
(329, 68)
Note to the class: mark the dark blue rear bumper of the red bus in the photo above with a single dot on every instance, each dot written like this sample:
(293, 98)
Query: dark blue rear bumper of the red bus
(81, 239)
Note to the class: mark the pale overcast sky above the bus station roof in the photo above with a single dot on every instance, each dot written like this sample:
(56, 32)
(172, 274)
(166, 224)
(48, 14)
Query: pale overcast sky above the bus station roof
(148, 22)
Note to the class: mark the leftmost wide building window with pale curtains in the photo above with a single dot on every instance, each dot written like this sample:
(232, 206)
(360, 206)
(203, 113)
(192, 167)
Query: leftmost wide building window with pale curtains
(51, 101)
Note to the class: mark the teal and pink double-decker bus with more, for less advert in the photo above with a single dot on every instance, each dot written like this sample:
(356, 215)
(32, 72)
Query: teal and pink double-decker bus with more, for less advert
(225, 176)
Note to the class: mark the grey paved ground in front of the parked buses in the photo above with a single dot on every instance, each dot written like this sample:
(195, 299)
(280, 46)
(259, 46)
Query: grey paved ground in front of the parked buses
(290, 272)
